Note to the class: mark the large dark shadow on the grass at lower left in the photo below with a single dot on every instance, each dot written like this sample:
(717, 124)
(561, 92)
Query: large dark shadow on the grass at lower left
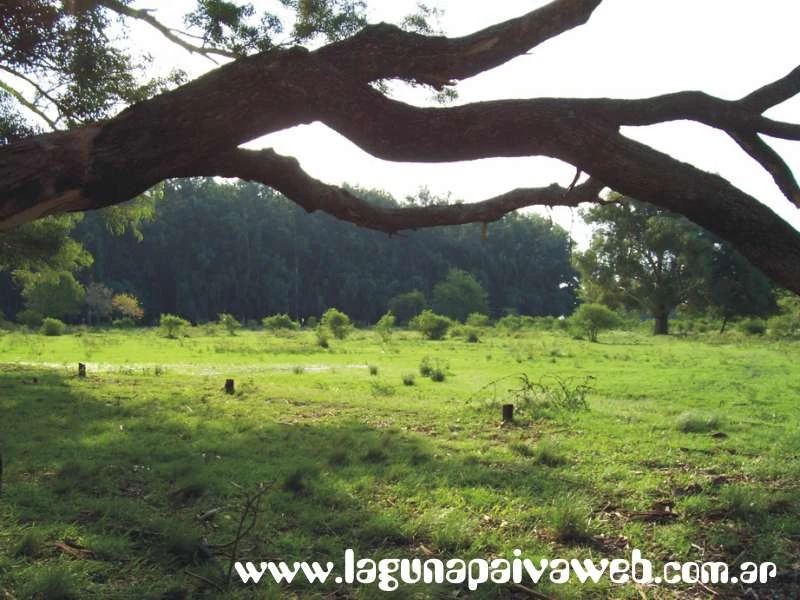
(128, 487)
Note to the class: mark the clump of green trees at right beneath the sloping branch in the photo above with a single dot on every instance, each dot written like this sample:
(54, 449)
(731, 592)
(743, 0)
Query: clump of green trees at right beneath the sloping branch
(651, 260)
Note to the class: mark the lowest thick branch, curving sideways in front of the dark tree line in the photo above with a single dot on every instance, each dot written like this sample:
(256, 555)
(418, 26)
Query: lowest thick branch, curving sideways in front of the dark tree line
(286, 176)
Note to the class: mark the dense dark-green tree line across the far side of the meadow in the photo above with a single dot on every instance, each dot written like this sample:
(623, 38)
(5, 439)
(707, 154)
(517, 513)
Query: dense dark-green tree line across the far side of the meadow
(241, 248)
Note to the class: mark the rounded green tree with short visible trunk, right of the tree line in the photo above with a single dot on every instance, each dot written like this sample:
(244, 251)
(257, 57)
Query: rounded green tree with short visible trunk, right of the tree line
(642, 257)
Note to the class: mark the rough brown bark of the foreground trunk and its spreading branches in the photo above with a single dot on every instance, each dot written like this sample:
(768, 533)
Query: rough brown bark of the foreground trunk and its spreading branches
(196, 130)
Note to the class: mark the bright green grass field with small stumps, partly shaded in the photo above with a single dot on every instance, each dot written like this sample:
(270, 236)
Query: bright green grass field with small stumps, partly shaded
(132, 482)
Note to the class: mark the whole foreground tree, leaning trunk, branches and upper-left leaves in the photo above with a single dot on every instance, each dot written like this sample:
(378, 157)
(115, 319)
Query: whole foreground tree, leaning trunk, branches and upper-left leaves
(59, 61)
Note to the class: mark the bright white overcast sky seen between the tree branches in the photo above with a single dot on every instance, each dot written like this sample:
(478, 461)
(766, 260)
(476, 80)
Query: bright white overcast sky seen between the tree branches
(628, 49)
